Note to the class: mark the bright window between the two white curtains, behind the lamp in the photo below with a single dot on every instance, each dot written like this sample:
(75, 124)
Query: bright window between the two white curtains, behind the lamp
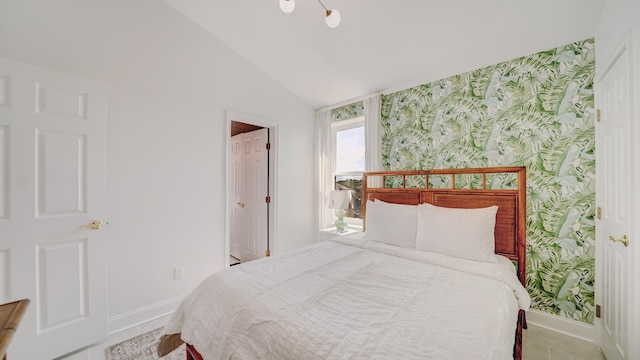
(349, 149)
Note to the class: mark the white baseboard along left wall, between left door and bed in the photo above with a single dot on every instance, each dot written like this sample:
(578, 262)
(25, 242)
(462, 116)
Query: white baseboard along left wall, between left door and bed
(142, 315)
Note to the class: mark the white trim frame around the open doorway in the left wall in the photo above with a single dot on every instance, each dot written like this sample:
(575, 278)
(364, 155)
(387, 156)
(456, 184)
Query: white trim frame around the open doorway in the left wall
(273, 179)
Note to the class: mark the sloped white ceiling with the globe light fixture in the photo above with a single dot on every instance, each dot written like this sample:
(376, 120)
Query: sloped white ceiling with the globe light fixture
(387, 45)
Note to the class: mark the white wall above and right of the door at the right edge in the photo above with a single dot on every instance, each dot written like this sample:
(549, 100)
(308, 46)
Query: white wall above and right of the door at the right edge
(621, 18)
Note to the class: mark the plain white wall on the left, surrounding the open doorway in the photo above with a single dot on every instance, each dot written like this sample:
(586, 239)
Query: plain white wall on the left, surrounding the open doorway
(170, 85)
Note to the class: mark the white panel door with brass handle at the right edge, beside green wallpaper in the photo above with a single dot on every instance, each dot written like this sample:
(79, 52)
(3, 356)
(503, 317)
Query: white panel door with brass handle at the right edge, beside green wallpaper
(614, 283)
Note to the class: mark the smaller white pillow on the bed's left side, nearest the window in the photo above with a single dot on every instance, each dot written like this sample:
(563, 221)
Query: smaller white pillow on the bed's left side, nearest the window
(393, 224)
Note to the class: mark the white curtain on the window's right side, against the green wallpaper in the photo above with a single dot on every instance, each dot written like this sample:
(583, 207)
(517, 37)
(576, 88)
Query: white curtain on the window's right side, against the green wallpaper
(373, 152)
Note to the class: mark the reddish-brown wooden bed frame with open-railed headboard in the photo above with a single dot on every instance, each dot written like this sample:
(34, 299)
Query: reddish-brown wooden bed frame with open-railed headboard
(510, 230)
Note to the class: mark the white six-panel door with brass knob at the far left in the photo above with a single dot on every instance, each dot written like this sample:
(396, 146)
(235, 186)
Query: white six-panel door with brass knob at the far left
(52, 185)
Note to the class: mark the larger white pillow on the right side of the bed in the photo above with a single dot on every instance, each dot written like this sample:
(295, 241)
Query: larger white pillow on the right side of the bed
(463, 233)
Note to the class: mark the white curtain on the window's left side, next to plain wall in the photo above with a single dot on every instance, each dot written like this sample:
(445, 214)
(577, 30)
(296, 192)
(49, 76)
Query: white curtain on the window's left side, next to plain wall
(325, 163)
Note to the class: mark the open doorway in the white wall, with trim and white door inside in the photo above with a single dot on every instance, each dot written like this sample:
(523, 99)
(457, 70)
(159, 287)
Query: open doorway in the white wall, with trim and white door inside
(251, 179)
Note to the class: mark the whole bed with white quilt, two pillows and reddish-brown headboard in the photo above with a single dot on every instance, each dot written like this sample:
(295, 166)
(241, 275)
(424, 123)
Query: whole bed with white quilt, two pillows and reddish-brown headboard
(378, 295)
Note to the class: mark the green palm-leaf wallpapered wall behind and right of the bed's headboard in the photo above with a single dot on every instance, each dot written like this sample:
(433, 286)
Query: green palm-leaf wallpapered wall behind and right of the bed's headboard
(536, 111)
